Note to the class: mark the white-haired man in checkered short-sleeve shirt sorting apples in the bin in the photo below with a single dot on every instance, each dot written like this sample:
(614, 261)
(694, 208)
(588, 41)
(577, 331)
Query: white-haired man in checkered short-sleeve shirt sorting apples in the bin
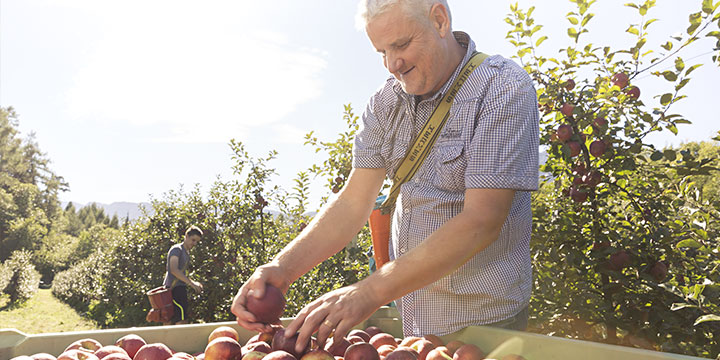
(461, 226)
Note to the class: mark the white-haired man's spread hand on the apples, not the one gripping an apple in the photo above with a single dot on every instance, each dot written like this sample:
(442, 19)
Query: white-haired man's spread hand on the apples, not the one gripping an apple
(338, 310)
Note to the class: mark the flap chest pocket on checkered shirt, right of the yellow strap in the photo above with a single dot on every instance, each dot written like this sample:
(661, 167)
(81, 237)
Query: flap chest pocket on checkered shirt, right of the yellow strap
(450, 165)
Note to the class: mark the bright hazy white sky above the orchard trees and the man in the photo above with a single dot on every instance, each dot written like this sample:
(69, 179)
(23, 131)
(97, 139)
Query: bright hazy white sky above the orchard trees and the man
(131, 99)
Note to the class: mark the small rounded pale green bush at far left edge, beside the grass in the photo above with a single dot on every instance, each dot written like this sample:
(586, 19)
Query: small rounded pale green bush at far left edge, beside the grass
(18, 277)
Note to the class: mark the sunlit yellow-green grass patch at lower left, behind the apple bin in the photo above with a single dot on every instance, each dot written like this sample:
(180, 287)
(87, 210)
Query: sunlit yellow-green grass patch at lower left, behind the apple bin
(42, 314)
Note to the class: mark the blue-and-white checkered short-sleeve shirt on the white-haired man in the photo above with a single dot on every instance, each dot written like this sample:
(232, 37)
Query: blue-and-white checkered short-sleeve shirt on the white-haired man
(490, 140)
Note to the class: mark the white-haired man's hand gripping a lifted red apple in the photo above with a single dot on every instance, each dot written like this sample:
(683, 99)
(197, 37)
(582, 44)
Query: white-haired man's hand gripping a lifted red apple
(255, 286)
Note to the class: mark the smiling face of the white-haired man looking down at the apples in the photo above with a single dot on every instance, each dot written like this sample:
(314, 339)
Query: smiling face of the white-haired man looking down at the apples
(410, 51)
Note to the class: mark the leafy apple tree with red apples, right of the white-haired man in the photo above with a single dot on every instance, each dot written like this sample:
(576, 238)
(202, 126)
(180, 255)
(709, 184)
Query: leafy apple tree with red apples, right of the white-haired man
(625, 245)
